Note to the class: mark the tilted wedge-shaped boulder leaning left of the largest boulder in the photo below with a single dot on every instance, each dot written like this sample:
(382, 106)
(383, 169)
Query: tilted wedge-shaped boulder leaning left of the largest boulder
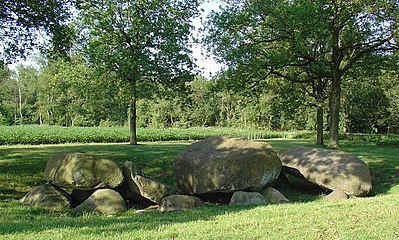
(145, 186)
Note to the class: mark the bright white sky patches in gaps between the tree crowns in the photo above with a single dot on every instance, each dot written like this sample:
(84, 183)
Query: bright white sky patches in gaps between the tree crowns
(208, 65)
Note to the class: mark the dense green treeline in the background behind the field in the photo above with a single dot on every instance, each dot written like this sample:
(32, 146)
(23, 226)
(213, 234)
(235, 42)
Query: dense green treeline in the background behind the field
(71, 93)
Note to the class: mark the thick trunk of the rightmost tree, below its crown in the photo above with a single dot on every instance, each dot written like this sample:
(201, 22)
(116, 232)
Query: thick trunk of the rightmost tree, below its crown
(334, 111)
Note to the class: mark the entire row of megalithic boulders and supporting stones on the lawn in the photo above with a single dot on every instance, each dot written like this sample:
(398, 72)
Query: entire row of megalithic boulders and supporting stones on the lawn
(220, 164)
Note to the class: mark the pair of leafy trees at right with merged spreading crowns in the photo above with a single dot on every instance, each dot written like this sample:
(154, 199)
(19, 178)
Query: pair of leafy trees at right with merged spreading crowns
(315, 43)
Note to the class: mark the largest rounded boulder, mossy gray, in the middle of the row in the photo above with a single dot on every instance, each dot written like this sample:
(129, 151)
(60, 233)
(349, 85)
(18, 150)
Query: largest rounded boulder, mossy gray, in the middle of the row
(225, 164)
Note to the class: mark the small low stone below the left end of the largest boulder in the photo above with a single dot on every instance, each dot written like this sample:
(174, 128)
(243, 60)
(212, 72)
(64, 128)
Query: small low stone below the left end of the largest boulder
(179, 203)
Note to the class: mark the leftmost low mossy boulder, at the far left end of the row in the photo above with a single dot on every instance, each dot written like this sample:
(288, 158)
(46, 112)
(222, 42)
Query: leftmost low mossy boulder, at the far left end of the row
(49, 197)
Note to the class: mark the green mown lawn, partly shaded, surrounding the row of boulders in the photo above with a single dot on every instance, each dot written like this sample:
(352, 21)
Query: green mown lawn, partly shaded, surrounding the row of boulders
(307, 217)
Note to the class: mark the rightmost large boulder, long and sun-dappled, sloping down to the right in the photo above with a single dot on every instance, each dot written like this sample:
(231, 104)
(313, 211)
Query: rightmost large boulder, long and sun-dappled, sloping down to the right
(328, 168)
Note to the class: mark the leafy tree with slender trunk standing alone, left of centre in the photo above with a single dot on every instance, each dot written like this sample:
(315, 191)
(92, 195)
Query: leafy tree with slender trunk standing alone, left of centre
(142, 42)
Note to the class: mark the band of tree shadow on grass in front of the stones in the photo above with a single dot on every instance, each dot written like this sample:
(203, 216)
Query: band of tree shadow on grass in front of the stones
(32, 220)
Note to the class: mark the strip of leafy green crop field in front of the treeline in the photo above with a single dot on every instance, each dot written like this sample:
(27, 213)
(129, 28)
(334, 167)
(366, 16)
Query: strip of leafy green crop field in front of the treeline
(35, 134)
